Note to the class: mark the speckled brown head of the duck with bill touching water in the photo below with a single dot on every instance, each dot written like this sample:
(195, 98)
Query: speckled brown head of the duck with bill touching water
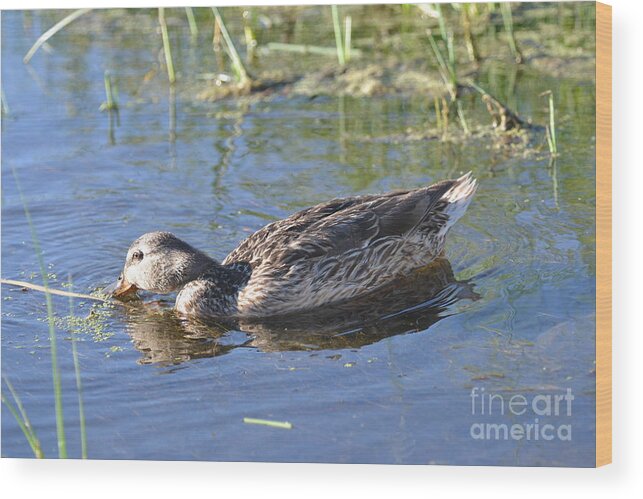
(159, 262)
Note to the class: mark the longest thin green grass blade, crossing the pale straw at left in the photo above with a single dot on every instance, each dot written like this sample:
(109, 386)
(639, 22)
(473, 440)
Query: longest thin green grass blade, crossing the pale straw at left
(55, 372)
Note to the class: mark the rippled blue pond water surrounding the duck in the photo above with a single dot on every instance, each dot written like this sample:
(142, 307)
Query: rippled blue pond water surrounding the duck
(519, 319)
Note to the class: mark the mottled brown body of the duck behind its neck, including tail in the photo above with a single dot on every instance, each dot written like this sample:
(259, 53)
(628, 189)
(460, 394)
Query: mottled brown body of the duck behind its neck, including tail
(346, 247)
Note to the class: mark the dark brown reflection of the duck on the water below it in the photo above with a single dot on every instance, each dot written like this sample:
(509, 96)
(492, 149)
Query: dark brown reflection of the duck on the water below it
(406, 306)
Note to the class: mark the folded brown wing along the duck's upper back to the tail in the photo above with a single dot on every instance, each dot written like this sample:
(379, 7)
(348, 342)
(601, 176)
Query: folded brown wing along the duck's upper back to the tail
(341, 226)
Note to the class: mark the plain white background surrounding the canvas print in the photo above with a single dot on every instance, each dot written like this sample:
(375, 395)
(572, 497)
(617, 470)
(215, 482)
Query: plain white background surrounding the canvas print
(112, 479)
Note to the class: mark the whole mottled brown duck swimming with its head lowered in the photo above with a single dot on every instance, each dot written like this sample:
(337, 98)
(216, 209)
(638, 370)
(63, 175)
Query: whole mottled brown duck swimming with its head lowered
(326, 254)
